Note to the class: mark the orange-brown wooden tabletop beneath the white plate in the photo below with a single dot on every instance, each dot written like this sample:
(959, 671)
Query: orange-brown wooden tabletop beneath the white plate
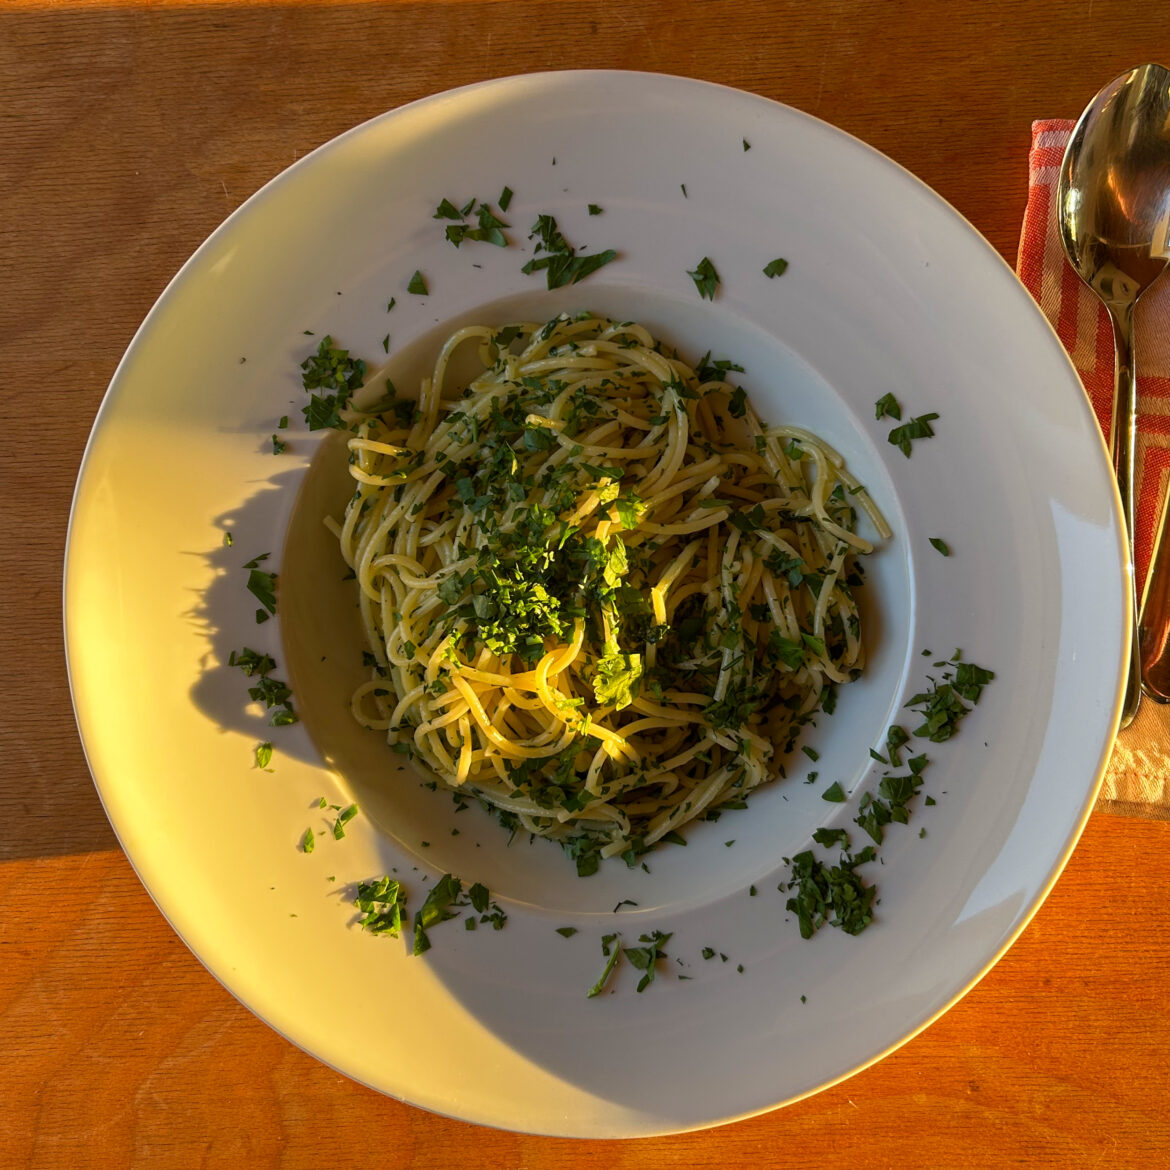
(128, 132)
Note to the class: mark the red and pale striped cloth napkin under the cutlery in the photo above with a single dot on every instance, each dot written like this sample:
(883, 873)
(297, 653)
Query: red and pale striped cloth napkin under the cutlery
(1138, 781)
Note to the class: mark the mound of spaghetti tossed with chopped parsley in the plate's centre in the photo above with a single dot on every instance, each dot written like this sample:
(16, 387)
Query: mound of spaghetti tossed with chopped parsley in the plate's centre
(600, 596)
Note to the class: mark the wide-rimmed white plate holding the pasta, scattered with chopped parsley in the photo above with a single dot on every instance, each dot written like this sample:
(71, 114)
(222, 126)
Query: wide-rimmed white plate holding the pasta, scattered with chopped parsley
(889, 291)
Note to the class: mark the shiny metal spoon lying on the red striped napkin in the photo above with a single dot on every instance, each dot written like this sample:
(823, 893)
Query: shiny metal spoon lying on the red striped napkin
(1114, 215)
